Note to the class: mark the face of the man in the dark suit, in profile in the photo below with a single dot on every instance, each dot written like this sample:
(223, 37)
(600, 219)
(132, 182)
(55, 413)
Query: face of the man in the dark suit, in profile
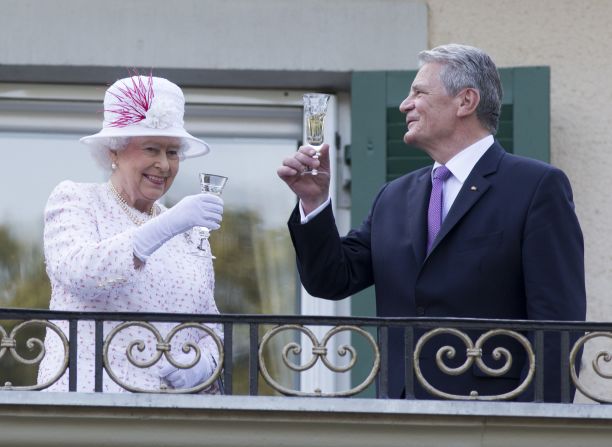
(431, 113)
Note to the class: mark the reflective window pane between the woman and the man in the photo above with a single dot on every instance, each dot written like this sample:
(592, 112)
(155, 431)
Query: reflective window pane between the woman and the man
(255, 265)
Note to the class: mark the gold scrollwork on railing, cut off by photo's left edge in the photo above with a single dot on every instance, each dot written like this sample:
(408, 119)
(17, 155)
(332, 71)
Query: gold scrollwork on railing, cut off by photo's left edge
(8, 343)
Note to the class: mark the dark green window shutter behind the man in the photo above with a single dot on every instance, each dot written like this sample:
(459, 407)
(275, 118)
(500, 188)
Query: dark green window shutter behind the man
(378, 153)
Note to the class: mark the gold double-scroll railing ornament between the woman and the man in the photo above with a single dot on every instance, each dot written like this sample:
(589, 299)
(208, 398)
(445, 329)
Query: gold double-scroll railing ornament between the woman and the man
(319, 351)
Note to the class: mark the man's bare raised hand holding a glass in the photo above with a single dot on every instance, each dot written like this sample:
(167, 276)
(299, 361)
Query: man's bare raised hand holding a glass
(312, 190)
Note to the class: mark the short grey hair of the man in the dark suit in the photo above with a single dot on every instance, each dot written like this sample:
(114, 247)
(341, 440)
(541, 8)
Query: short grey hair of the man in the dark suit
(469, 67)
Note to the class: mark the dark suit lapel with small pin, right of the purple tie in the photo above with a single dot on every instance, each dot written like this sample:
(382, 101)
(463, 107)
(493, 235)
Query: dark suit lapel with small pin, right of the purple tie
(474, 187)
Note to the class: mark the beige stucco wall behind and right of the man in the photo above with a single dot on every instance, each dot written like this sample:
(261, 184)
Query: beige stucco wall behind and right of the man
(574, 38)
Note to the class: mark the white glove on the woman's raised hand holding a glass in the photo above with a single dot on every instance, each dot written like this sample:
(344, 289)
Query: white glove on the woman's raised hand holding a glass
(199, 210)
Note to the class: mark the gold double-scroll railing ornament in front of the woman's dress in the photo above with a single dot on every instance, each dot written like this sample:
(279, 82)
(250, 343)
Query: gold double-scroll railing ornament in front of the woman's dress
(162, 348)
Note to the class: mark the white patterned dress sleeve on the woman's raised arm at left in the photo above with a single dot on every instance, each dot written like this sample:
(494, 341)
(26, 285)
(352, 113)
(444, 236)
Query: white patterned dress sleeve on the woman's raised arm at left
(77, 257)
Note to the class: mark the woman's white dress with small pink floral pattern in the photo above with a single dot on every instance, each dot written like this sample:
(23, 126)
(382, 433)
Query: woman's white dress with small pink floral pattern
(89, 260)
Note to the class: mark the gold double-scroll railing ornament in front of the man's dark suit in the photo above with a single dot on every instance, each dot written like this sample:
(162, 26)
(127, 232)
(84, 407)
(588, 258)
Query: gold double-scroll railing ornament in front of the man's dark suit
(474, 355)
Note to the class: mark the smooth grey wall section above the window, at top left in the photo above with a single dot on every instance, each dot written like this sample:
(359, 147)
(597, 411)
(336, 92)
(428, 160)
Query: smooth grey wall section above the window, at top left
(214, 34)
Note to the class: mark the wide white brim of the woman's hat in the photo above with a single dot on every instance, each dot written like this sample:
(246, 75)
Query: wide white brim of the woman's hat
(194, 147)
